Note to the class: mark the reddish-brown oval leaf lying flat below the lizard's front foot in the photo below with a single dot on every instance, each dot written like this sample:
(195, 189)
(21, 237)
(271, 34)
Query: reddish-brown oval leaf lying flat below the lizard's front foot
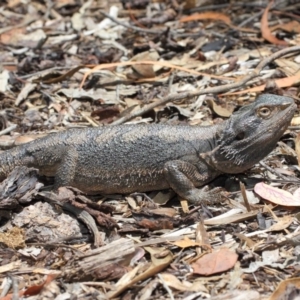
(216, 262)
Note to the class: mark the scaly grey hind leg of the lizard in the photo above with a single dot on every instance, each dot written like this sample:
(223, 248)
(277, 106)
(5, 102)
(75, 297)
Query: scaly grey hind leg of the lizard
(66, 171)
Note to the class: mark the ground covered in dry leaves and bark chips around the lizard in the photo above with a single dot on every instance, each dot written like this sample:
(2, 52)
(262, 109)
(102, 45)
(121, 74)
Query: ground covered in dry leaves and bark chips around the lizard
(75, 63)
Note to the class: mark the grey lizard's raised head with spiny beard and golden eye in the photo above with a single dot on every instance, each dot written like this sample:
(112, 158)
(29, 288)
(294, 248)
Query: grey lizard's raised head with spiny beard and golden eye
(251, 133)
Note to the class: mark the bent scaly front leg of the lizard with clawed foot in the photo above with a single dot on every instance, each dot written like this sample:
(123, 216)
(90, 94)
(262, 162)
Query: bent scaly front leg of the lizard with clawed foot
(183, 177)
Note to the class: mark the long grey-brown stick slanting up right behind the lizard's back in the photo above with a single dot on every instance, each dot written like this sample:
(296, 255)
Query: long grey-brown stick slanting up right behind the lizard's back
(213, 90)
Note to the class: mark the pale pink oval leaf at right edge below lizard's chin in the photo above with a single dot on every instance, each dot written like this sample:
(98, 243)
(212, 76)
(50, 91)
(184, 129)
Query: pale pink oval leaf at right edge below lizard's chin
(276, 195)
